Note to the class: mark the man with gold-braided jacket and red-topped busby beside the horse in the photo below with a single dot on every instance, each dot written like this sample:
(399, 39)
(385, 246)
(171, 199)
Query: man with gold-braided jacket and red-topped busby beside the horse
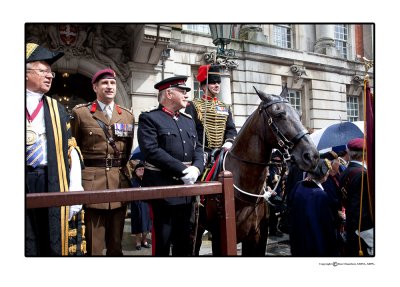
(215, 129)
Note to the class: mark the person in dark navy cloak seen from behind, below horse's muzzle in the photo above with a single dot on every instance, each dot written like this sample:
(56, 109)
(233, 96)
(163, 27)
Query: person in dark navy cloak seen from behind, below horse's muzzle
(311, 218)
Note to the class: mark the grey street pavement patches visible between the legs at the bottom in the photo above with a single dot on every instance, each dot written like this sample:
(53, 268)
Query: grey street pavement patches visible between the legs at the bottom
(276, 246)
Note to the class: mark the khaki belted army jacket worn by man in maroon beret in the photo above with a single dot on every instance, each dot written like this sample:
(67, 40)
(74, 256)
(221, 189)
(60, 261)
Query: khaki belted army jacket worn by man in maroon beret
(93, 143)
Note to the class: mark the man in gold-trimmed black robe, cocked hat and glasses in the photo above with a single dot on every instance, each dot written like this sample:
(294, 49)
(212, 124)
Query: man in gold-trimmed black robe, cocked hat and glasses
(52, 161)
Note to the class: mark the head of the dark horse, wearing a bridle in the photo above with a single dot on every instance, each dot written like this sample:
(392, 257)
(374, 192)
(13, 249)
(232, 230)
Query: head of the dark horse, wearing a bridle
(290, 135)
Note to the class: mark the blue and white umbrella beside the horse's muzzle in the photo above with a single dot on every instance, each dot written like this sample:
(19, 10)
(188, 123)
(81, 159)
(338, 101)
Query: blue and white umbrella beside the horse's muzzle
(336, 136)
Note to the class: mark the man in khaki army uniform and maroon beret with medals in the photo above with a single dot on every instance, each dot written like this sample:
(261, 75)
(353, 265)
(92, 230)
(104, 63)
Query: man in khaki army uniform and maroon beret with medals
(104, 132)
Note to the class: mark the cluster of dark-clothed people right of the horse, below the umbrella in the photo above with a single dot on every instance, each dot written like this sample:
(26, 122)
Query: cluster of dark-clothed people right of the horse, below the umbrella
(327, 212)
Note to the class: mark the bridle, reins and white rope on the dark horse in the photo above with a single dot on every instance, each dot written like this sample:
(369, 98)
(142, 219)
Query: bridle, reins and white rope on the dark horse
(285, 144)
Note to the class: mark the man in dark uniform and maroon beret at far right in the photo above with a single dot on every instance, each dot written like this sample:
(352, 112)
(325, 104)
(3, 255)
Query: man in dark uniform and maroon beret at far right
(359, 230)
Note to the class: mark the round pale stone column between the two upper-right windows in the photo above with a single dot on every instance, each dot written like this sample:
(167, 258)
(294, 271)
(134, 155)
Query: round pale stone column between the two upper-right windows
(325, 43)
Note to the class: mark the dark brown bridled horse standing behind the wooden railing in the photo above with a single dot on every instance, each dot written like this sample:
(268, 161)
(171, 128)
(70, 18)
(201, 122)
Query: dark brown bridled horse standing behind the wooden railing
(275, 124)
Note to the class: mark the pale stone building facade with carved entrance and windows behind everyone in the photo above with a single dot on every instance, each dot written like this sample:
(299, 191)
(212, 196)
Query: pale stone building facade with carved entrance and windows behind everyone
(322, 64)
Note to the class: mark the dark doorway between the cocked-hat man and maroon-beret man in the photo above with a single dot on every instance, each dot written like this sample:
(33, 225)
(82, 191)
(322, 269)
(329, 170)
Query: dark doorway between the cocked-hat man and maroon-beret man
(71, 90)
